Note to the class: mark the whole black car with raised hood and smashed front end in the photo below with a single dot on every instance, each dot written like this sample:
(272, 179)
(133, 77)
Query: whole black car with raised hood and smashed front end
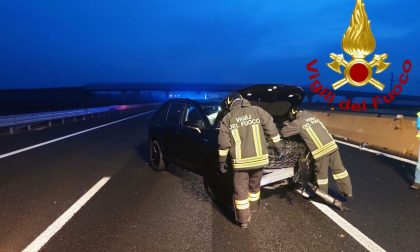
(184, 132)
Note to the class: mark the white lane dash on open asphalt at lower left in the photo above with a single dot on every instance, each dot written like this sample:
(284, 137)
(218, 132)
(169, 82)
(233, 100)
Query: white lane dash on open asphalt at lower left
(45, 236)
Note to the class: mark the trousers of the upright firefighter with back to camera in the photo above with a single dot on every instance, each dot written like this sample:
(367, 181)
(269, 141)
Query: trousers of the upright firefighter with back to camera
(246, 194)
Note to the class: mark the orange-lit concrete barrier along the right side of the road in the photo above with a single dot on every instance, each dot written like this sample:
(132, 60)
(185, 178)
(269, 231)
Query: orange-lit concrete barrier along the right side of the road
(392, 134)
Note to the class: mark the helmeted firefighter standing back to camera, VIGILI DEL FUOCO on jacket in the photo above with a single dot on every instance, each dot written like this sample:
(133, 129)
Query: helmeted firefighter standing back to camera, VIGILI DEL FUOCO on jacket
(242, 135)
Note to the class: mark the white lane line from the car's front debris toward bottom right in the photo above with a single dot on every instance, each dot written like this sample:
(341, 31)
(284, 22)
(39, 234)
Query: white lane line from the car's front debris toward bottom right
(349, 228)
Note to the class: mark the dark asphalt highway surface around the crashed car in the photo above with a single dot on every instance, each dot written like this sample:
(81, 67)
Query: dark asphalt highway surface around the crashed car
(118, 203)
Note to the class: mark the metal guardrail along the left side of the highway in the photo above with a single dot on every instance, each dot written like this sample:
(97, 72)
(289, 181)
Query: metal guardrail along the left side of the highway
(28, 120)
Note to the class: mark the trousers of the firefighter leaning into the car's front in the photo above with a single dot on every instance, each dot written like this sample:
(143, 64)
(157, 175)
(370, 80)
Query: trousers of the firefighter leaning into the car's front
(340, 174)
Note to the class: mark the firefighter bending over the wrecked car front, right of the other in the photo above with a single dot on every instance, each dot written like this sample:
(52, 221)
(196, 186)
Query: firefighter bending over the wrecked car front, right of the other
(322, 147)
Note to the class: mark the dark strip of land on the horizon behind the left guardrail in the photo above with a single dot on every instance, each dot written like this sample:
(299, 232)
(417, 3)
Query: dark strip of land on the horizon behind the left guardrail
(21, 101)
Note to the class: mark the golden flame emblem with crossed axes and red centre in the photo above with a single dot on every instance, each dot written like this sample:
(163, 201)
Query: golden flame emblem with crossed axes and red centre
(358, 41)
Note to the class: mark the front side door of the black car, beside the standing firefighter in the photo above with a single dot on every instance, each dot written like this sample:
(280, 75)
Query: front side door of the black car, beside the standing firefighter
(193, 132)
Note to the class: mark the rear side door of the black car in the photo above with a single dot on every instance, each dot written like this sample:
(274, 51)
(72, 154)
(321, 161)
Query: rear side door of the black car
(172, 139)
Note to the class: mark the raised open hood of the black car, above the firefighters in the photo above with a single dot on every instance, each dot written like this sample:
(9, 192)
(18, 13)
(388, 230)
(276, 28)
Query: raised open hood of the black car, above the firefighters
(275, 99)
